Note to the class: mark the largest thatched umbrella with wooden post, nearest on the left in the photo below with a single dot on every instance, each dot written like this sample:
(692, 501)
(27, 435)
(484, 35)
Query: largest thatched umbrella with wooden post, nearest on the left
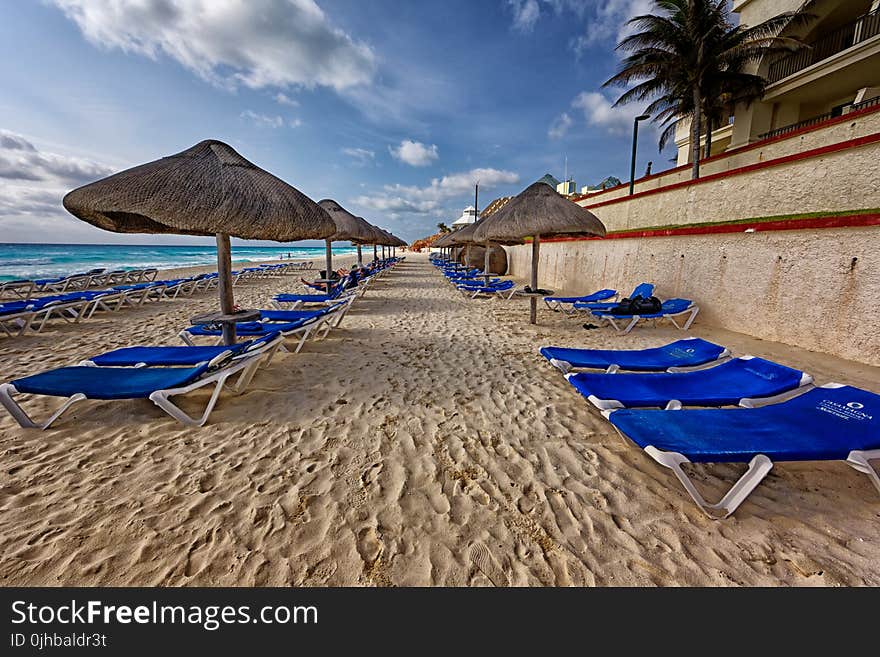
(208, 189)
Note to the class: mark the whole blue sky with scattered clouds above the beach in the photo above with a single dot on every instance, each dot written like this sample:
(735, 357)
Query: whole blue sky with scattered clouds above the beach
(392, 108)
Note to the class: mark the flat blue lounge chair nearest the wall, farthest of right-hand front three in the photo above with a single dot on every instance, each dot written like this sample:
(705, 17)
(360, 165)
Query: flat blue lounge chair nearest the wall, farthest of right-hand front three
(673, 357)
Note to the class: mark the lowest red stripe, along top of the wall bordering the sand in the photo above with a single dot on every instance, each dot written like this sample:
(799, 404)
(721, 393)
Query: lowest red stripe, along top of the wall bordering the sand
(849, 221)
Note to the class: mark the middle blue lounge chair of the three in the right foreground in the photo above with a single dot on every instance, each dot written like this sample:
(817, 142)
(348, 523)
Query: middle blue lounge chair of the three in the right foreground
(723, 385)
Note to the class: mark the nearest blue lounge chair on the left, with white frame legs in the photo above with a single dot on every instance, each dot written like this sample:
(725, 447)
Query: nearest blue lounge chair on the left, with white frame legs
(158, 384)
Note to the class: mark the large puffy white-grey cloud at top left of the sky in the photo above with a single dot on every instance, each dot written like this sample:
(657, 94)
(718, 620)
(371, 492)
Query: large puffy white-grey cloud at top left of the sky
(255, 43)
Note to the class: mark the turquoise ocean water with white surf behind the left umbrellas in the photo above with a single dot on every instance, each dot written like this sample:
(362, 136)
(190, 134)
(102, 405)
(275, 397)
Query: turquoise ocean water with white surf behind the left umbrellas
(47, 260)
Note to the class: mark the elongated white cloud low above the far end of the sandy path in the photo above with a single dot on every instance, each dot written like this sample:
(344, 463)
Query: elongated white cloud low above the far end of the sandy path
(411, 199)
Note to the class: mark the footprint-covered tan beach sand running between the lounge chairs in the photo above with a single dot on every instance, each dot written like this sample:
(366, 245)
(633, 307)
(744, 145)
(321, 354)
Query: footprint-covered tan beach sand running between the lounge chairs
(424, 443)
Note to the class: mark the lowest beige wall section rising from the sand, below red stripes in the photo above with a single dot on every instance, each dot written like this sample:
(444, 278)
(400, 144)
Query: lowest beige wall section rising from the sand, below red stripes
(798, 287)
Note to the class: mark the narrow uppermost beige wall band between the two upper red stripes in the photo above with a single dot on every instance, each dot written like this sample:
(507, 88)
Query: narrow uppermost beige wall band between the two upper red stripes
(859, 126)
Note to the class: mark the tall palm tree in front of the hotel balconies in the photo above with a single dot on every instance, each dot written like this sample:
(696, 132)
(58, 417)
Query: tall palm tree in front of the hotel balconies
(691, 61)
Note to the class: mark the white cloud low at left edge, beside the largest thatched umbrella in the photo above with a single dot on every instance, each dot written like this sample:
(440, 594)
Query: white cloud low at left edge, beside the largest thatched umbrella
(34, 181)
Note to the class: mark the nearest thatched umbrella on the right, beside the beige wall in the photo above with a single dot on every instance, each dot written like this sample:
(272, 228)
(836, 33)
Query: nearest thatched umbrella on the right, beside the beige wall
(538, 210)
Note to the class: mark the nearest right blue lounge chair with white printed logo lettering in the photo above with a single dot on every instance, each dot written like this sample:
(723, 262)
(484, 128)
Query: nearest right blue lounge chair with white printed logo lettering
(831, 422)
